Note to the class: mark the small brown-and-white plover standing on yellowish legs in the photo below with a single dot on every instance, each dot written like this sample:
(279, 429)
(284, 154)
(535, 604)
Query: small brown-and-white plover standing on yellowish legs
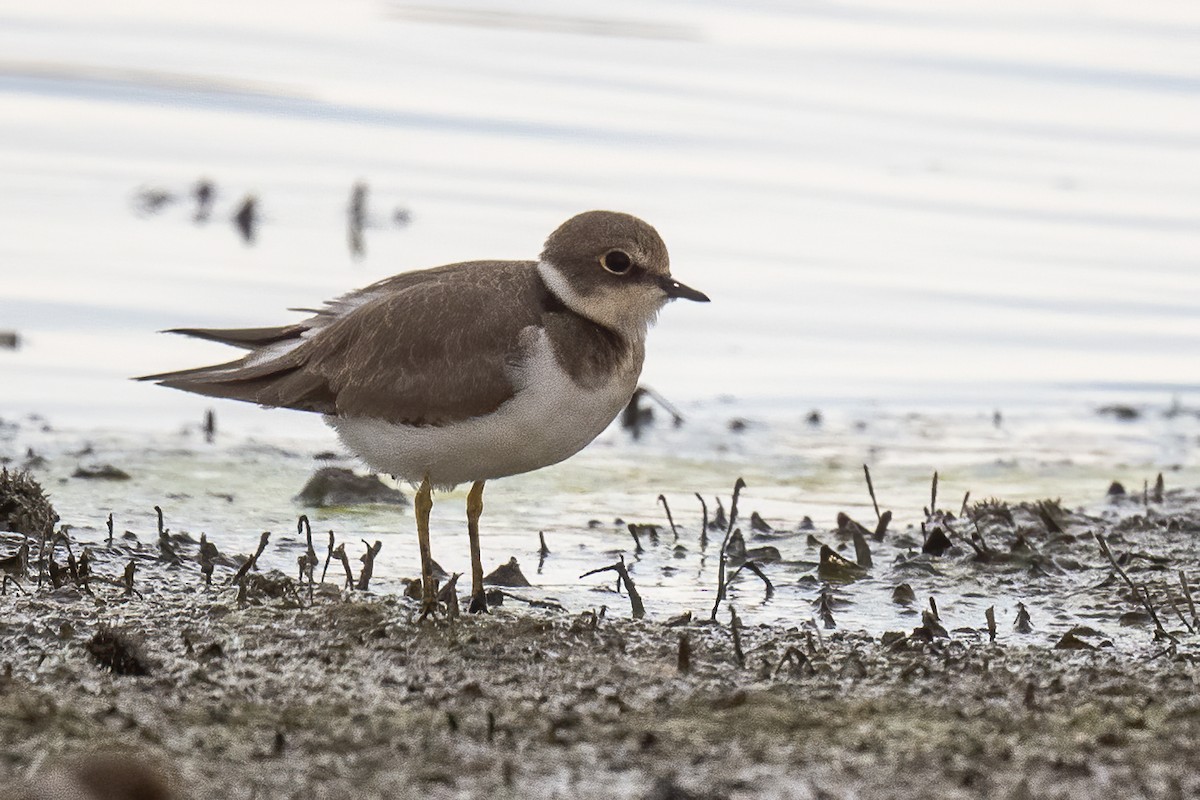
(466, 372)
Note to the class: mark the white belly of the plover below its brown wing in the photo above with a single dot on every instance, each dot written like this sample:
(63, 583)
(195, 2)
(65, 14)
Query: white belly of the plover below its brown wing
(550, 419)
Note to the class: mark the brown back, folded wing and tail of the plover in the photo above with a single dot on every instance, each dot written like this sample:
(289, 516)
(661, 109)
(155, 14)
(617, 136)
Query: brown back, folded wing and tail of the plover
(423, 348)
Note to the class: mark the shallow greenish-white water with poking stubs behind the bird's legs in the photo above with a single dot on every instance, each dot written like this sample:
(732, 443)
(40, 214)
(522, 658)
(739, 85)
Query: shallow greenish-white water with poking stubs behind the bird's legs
(237, 488)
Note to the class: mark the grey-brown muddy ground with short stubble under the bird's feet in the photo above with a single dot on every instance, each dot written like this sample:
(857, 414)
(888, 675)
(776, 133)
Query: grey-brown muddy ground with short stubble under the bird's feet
(265, 694)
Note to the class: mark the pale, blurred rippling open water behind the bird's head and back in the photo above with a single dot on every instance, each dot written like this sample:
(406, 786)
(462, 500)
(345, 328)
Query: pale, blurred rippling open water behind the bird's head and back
(893, 202)
